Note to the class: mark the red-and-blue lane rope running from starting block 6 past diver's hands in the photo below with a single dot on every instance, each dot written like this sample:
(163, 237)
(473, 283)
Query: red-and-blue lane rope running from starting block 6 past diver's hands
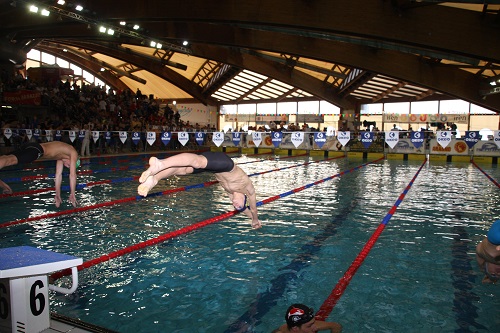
(193, 227)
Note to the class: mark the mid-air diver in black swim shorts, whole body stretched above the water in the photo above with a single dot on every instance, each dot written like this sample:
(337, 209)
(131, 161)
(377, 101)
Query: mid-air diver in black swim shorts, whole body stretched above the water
(232, 178)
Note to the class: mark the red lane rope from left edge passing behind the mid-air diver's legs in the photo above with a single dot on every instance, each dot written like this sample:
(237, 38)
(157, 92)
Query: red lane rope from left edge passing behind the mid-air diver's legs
(138, 197)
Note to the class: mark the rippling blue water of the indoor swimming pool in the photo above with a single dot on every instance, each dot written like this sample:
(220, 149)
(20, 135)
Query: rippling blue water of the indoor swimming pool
(420, 276)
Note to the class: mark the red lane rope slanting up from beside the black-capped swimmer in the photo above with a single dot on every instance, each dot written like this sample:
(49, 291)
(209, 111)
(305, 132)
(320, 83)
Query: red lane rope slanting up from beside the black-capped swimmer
(327, 306)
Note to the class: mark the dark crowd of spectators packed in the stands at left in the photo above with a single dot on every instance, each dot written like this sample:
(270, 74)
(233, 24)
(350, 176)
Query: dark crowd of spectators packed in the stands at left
(72, 107)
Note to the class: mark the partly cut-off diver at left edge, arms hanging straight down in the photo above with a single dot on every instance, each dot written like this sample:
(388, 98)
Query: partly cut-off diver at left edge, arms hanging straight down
(64, 154)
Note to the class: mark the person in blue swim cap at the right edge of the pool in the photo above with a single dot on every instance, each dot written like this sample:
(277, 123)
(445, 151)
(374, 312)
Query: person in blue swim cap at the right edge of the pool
(488, 254)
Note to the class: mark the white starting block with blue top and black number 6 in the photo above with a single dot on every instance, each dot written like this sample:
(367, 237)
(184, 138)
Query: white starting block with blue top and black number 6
(24, 301)
